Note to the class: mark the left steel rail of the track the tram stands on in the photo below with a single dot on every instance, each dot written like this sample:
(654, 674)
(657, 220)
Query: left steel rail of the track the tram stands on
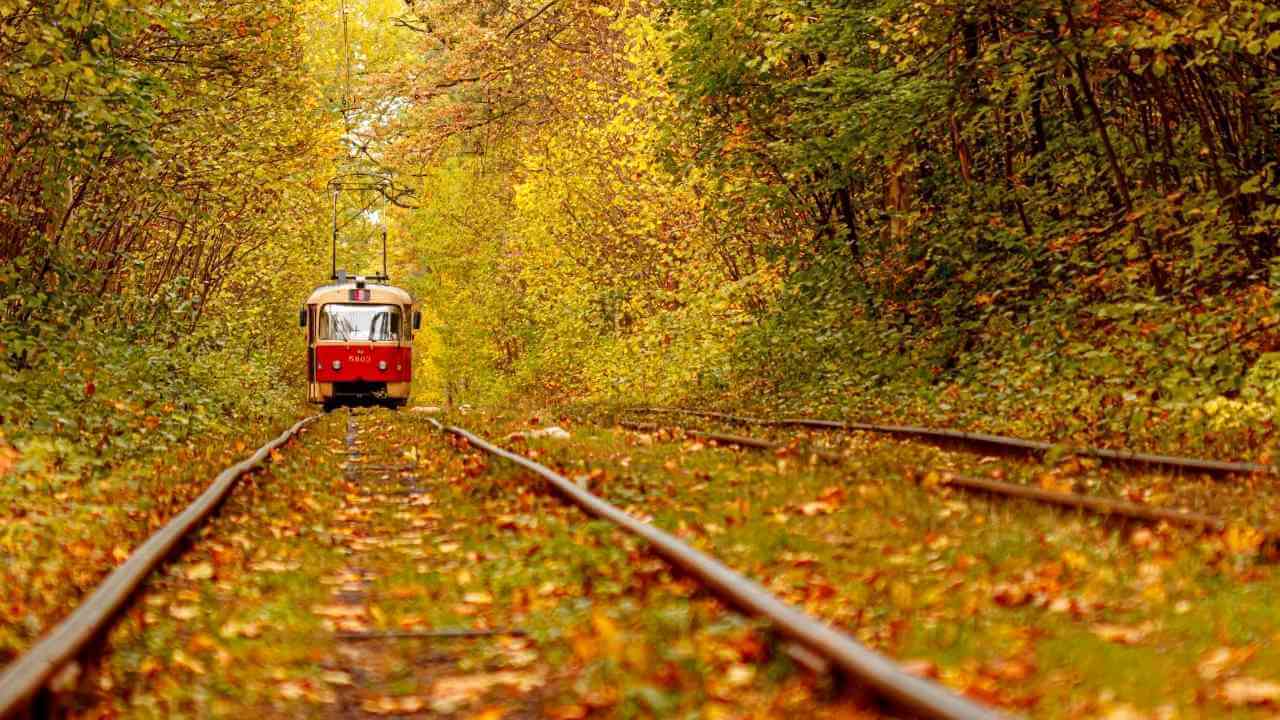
(25, 677)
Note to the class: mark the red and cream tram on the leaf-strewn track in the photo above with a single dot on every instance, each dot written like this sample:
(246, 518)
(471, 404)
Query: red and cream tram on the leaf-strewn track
(360, 343)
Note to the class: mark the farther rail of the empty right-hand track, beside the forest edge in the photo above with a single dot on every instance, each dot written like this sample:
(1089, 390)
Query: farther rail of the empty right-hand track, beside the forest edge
(1121, 457)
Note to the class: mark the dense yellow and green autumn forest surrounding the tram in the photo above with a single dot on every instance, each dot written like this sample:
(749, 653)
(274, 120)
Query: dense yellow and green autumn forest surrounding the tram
(1058, 213)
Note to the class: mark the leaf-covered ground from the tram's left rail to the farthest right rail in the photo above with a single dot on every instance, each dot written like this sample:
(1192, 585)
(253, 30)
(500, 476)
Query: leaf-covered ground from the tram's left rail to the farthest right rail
(383, 568)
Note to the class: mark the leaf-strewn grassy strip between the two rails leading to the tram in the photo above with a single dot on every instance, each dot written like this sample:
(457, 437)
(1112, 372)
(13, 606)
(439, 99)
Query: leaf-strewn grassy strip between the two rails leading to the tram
(612, 632)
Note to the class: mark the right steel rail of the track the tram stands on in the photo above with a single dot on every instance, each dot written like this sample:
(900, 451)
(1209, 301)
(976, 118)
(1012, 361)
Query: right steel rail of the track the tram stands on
(883, 676)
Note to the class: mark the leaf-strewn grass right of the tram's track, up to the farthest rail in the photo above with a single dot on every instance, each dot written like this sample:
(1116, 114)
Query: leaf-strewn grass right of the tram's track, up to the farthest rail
(1039, 610)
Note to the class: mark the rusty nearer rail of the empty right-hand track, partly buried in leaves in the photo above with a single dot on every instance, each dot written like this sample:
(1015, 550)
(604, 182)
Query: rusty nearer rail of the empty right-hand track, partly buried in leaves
(1092, 504)
